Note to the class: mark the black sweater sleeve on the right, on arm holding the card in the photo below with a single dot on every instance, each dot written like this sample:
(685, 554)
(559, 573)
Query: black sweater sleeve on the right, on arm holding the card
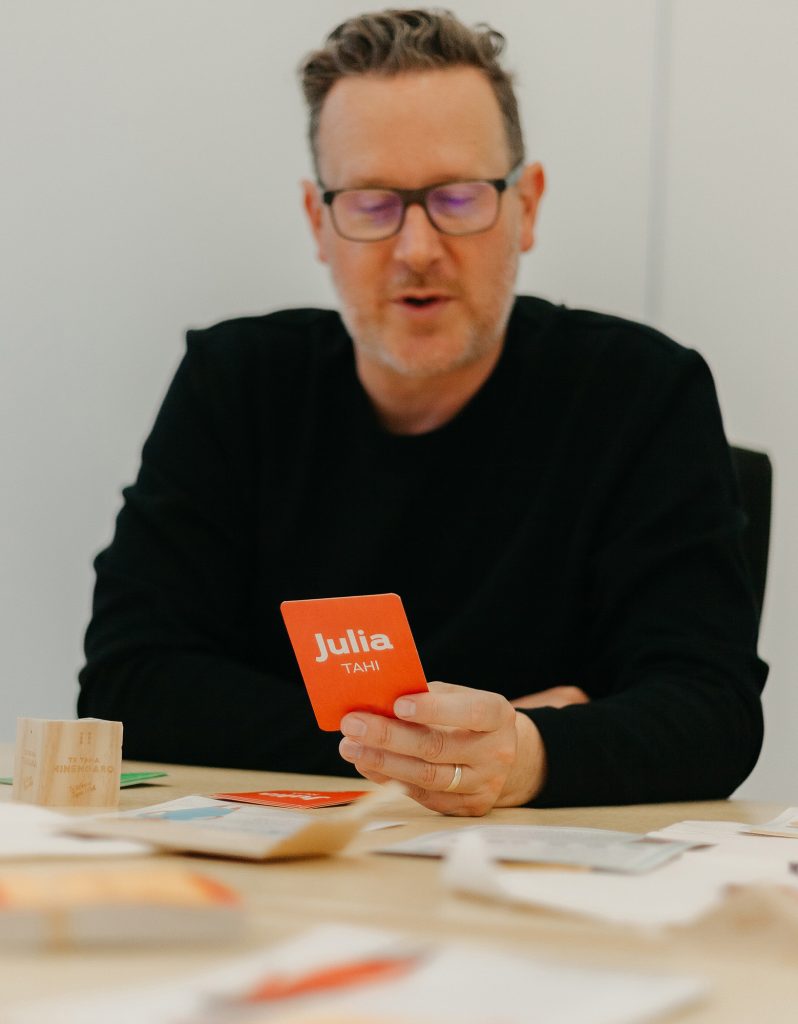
(671, 644)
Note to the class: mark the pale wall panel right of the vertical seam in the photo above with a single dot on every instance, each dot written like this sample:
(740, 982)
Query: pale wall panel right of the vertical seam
(730, 281)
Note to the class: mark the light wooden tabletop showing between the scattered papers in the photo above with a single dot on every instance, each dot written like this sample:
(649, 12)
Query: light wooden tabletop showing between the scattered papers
(751, 966)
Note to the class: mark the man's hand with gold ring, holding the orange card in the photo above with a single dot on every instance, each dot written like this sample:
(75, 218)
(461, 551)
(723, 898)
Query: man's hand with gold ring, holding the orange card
(499, 752)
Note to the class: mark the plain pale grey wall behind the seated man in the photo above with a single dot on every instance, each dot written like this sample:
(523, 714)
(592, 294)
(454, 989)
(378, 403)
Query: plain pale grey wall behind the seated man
(150, 159)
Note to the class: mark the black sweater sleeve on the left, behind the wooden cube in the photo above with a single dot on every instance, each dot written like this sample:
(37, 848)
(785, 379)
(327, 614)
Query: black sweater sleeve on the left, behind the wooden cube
(170, 647)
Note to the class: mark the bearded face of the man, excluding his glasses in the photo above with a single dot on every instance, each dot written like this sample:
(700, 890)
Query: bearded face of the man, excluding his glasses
(410, 132)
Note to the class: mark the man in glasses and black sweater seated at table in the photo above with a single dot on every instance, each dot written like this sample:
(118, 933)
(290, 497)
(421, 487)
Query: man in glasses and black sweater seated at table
(550, 491)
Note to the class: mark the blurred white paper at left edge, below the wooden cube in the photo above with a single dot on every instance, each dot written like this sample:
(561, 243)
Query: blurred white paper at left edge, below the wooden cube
(28, 831)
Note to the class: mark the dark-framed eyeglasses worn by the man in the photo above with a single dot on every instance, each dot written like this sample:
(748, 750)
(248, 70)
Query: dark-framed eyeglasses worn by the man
(453, 207)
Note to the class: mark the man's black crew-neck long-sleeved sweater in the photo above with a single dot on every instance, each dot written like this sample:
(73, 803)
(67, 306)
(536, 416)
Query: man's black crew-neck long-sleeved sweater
(577, 524)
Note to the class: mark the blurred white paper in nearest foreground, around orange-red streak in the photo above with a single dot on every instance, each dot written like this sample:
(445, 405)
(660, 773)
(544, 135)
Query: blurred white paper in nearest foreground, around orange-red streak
(449, 984)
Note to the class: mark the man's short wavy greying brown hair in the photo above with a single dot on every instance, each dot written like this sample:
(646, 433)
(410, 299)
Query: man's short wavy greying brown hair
(393, 42)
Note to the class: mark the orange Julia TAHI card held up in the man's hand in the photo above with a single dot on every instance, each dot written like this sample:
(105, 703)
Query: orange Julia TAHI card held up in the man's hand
(356, 654)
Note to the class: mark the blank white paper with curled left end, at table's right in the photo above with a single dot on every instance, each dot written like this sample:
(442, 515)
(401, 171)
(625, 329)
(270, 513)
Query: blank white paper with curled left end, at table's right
(679, 893)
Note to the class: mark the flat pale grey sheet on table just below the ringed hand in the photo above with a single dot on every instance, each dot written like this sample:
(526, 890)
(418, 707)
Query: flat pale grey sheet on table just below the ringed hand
(591, 848)
